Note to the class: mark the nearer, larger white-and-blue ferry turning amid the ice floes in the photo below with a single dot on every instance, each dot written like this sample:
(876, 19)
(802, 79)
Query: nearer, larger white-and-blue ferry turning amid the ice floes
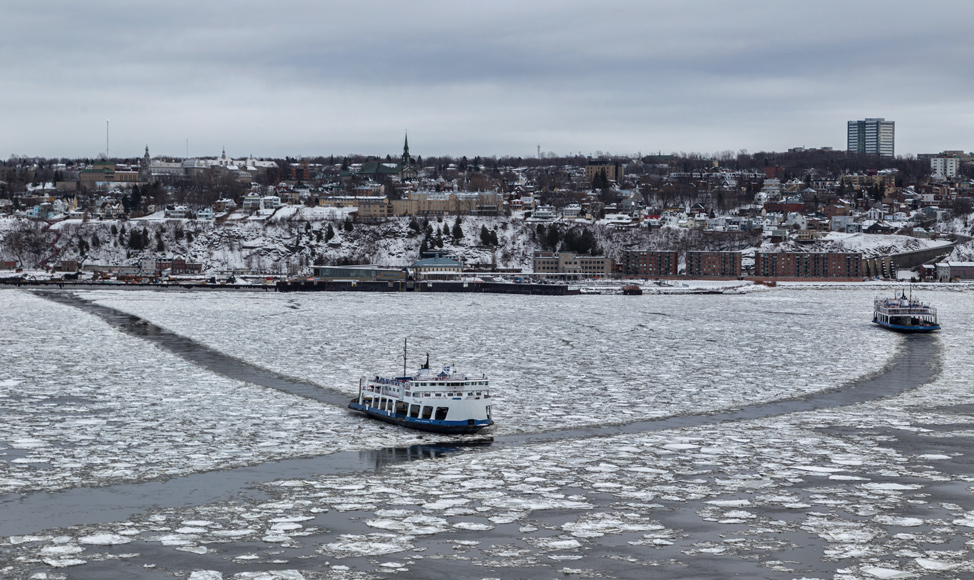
(440, 401)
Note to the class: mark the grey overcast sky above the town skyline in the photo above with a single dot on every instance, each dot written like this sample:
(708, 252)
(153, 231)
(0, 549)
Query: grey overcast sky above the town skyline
(304, 78)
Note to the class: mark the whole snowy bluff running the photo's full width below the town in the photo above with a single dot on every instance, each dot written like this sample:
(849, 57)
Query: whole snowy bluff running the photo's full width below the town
(292, 239)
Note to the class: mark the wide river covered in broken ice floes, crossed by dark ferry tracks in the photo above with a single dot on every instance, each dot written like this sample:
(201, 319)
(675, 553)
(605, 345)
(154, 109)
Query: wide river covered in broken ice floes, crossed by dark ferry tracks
(871, 489)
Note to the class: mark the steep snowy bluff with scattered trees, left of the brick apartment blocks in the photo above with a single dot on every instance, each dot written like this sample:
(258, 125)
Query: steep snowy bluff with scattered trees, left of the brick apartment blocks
(287, 241)
